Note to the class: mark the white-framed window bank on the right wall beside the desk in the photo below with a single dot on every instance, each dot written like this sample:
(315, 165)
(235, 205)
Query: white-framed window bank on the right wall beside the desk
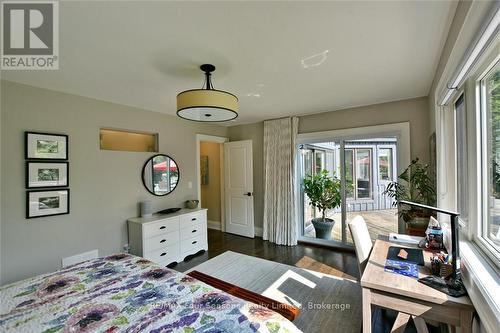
(476, 126)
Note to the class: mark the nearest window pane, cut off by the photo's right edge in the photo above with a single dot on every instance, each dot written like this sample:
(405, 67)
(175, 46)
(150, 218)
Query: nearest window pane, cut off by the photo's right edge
(490, 156)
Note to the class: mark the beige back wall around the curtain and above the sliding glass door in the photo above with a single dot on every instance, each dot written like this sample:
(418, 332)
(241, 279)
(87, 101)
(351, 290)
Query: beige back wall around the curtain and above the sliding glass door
(415, 111)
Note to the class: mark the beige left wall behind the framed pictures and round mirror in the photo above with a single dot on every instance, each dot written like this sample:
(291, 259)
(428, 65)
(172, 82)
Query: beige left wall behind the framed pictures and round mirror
(105, 185)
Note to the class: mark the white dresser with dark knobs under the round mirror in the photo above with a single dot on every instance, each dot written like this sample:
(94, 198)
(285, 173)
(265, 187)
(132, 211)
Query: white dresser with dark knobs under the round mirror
(165, 239)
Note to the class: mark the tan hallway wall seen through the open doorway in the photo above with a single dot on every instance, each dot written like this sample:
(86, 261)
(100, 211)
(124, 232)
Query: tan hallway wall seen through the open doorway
(210, 193)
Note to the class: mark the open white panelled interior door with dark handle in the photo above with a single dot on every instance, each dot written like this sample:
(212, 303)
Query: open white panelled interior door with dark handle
(238, 179)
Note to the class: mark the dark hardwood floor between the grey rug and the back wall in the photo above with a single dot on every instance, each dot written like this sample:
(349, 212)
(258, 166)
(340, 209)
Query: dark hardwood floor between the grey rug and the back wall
(322, 259)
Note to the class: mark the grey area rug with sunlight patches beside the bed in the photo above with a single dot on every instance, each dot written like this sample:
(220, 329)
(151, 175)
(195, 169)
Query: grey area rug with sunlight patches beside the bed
(328, 303)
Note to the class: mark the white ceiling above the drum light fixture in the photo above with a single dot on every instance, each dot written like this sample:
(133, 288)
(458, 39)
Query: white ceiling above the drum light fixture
(144, 53)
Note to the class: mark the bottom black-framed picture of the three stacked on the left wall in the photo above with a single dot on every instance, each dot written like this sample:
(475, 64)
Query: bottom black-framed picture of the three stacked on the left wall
(40, 203)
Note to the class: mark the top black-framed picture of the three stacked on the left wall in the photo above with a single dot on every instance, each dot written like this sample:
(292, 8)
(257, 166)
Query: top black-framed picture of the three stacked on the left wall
(46, 146)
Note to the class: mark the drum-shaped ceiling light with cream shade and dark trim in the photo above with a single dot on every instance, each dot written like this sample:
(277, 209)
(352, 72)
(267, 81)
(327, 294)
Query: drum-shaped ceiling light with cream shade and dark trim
(207, 104)
